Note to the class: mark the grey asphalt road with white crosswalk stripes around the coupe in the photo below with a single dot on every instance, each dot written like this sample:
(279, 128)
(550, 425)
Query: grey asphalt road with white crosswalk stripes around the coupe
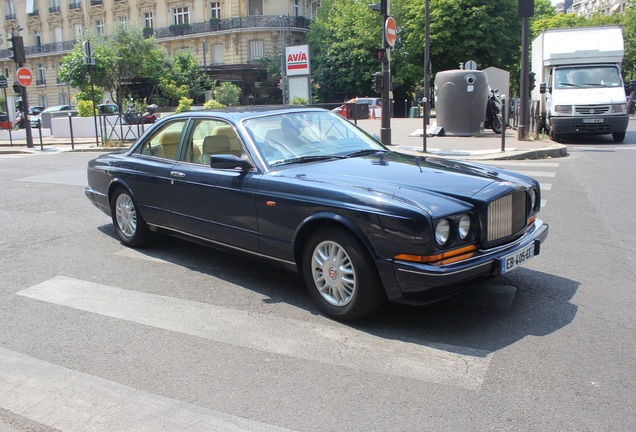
(98, 337)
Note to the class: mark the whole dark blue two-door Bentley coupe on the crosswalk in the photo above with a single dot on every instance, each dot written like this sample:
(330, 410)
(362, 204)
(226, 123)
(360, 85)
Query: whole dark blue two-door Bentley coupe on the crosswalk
(306, 189)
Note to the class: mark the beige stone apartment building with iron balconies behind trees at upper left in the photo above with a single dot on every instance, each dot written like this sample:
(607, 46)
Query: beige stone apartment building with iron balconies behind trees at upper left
(227, 37)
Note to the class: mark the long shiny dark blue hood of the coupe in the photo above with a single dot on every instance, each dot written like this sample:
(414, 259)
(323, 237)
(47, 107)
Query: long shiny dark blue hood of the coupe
(426, 182)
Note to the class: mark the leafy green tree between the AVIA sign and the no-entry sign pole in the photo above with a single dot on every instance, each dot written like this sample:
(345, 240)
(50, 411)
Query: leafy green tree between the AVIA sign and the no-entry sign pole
(342, 40)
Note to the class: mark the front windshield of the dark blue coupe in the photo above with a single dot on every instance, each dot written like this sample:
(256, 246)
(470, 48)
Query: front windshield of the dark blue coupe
(308, 136)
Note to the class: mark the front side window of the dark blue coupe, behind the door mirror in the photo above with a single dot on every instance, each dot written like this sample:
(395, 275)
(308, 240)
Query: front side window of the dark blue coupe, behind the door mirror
(210, 137)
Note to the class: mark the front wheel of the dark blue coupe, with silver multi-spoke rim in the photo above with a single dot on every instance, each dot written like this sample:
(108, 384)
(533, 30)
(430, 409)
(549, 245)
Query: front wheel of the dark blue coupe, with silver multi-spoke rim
(340, 276)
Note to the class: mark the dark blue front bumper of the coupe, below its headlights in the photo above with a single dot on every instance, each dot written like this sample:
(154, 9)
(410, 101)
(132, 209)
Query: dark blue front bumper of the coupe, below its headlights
(426, 283)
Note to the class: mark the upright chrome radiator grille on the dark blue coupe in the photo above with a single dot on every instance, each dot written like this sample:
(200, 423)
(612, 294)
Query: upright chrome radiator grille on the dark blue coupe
(506, 216)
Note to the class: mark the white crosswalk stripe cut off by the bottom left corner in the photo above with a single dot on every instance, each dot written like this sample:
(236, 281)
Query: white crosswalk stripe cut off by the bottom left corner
(74, 401)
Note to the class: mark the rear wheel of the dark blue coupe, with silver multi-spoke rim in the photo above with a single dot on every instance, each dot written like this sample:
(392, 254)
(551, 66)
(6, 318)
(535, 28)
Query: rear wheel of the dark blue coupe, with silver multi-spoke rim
(129, 224)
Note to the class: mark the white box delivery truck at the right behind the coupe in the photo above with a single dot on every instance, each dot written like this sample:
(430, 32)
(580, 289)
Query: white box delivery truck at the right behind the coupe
(581, 91)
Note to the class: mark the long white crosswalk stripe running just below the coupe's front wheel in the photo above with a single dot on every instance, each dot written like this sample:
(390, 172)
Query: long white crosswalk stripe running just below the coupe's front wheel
(335, 344)
